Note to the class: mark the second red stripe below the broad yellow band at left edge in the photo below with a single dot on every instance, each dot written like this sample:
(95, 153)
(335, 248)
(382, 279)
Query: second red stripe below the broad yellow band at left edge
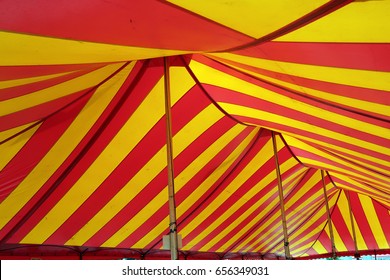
(31, 88)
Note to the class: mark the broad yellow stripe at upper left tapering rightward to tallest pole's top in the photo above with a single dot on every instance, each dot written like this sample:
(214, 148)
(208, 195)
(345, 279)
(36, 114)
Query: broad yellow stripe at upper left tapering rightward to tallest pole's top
(21, 49)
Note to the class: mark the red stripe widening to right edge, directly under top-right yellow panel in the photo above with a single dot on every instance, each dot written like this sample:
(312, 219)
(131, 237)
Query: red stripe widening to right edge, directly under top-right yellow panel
(367, 56)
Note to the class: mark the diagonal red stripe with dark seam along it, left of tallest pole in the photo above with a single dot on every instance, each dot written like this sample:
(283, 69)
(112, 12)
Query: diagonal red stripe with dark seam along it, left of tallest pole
(71, 178)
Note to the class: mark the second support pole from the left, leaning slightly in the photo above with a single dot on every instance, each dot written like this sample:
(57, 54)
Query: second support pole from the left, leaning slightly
(281, 199)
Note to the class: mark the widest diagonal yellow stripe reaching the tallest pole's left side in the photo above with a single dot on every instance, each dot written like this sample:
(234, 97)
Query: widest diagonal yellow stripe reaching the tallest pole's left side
(119, 147)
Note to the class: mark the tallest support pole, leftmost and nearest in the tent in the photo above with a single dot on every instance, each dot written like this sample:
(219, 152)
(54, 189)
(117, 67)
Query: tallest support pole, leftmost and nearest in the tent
(171, 186)
